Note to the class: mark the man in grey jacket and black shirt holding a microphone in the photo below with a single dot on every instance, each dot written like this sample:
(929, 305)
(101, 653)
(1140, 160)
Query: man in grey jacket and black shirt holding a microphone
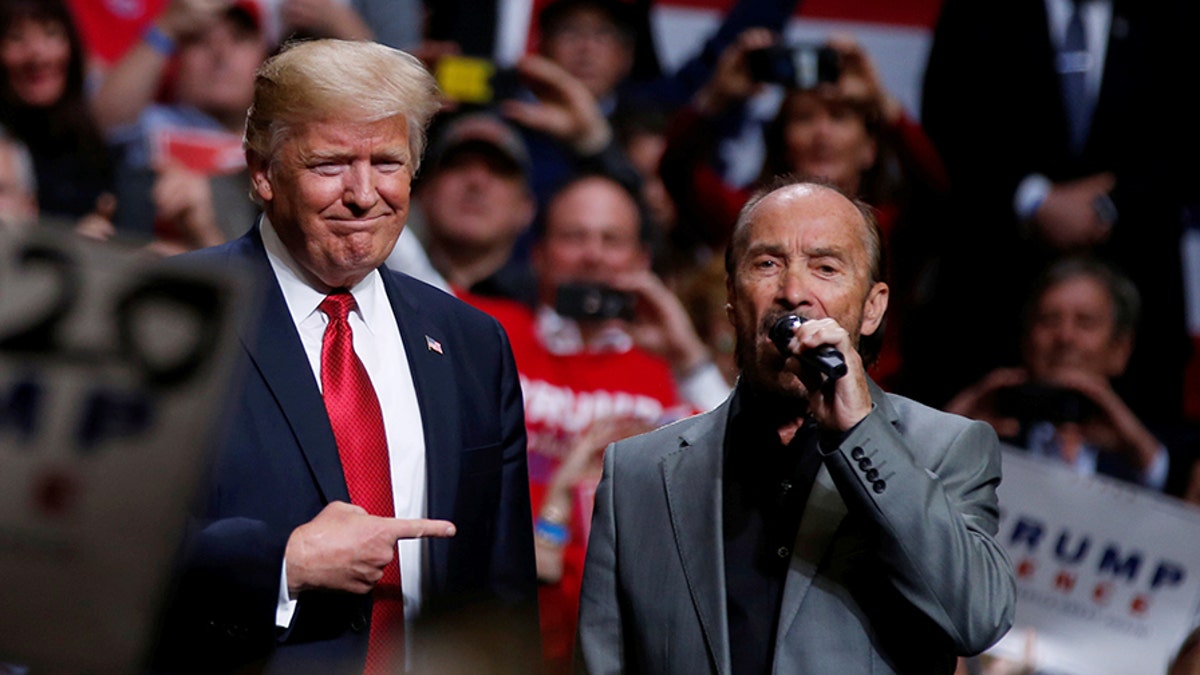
(809, 524)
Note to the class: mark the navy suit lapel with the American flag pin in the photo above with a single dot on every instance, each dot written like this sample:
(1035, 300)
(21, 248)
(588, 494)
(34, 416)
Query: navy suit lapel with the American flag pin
(437, 397)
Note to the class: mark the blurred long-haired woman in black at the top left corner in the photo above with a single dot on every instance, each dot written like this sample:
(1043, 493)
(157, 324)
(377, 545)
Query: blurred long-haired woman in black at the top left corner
(43, 105)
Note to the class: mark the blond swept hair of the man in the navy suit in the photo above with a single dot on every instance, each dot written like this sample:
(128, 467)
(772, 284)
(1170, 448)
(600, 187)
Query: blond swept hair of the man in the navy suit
(339, 80)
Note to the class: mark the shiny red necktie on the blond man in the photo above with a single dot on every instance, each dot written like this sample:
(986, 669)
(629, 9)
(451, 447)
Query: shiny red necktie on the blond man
(357, 420)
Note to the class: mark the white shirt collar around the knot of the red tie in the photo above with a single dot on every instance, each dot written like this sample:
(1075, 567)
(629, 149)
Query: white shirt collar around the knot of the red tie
(302, 298)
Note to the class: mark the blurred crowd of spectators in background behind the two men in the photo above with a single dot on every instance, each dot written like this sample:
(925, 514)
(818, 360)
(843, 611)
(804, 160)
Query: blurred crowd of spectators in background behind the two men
(1035, 260)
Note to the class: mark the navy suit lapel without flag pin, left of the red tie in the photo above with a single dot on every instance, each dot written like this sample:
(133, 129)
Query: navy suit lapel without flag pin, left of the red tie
(279, 356)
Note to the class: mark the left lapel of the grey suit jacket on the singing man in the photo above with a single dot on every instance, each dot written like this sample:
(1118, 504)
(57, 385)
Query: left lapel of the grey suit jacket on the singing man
(694, 503)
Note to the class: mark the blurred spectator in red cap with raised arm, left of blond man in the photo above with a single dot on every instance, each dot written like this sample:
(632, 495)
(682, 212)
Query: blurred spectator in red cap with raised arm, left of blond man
(183, 172)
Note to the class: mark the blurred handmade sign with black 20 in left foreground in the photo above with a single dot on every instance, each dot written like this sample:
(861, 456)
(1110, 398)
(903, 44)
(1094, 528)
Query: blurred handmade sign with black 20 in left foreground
(113, 368)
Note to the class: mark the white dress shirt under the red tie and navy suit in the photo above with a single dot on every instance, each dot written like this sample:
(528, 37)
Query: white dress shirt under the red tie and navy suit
(380, 348)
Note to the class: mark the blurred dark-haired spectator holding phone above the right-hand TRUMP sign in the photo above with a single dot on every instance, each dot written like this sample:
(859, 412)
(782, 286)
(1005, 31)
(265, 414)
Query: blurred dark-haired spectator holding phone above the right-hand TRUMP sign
(1079, 333)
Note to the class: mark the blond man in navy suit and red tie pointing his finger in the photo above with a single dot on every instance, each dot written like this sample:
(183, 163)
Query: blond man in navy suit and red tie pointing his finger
(374, 477)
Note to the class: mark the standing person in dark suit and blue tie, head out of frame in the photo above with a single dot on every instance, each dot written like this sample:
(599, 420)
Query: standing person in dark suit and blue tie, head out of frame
(1001, 92)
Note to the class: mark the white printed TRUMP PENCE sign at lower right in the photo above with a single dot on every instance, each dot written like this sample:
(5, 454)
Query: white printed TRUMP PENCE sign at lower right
(1108, 575)
